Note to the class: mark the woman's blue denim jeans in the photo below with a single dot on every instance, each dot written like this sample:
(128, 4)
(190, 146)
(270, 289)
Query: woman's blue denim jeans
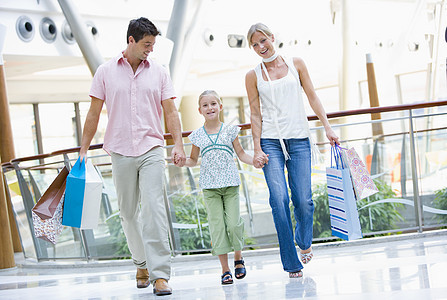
(299, 182)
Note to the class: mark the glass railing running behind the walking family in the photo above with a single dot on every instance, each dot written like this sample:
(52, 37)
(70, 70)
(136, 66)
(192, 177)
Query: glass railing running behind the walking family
(405, 152)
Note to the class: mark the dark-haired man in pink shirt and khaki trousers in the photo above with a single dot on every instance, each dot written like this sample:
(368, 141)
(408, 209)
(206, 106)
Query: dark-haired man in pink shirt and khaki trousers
(136, 90)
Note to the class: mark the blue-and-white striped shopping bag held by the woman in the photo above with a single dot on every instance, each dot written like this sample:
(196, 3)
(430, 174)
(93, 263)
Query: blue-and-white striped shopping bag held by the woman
(344, 216)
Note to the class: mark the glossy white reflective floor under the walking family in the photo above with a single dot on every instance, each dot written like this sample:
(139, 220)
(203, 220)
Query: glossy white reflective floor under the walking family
(411, 266)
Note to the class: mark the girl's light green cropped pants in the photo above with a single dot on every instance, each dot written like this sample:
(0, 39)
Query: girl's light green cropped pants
(224, 219)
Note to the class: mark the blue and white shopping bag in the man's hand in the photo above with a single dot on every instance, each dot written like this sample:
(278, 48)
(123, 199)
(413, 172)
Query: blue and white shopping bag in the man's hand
(83, 193)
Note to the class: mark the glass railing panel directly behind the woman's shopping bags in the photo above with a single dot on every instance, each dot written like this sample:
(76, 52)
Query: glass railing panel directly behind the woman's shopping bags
(388, 165)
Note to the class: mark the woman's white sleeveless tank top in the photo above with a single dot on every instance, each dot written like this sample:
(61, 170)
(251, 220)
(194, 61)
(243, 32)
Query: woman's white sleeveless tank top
(289, 106)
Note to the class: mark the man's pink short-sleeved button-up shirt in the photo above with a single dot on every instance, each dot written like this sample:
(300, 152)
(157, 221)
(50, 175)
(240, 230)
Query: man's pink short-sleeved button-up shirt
(133, 102)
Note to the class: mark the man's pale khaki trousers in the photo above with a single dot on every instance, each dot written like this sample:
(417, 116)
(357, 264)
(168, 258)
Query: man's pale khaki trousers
(139, 183)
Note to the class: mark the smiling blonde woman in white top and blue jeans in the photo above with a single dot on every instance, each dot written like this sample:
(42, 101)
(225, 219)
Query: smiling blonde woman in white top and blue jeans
(281, 138)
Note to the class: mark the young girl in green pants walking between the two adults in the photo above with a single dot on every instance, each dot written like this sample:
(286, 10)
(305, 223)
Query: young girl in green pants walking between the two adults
(219, 180)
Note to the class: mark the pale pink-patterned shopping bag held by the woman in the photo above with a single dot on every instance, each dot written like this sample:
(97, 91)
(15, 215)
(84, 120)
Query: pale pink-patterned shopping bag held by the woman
(361, 180)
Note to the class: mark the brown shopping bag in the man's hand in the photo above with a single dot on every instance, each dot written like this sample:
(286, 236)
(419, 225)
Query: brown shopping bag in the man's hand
(47, 204)
